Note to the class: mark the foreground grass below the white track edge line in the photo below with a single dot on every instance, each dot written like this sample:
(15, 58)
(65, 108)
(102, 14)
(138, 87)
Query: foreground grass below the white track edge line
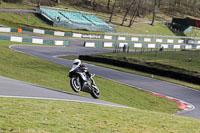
(42, 116)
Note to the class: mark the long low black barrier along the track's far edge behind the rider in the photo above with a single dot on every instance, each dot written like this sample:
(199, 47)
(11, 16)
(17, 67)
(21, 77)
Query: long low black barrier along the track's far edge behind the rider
(144, 68)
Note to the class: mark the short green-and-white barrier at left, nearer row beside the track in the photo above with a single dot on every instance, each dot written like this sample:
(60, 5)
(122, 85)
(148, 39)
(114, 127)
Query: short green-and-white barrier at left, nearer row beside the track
(33, 40)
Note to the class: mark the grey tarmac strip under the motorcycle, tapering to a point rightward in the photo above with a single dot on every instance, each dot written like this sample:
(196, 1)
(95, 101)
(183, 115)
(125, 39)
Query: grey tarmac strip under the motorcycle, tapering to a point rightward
(19, 89)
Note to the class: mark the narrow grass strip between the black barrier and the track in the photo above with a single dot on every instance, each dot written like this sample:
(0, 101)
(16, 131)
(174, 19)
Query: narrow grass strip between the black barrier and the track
(194, 86)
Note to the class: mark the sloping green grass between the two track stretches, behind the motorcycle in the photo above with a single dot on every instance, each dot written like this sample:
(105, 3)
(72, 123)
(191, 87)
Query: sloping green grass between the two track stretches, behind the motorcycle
(20, 66)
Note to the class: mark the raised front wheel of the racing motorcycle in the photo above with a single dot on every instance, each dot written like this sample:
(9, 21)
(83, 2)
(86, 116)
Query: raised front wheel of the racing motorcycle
(75, 84)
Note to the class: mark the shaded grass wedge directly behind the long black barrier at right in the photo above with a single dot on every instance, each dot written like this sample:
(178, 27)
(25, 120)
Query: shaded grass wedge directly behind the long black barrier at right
(178, 59)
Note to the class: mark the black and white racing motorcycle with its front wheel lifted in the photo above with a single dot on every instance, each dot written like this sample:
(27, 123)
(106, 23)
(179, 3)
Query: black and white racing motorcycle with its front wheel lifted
(80, 81)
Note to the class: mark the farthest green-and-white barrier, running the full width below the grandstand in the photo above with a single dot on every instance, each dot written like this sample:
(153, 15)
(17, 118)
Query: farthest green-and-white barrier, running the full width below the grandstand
(148, 39)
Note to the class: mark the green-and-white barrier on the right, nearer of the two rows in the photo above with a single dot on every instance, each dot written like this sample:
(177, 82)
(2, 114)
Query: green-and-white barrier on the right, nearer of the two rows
(140, 45)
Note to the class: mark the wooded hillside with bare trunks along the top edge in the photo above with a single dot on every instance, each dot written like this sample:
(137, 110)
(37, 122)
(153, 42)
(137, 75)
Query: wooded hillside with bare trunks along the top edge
(131, 9)
